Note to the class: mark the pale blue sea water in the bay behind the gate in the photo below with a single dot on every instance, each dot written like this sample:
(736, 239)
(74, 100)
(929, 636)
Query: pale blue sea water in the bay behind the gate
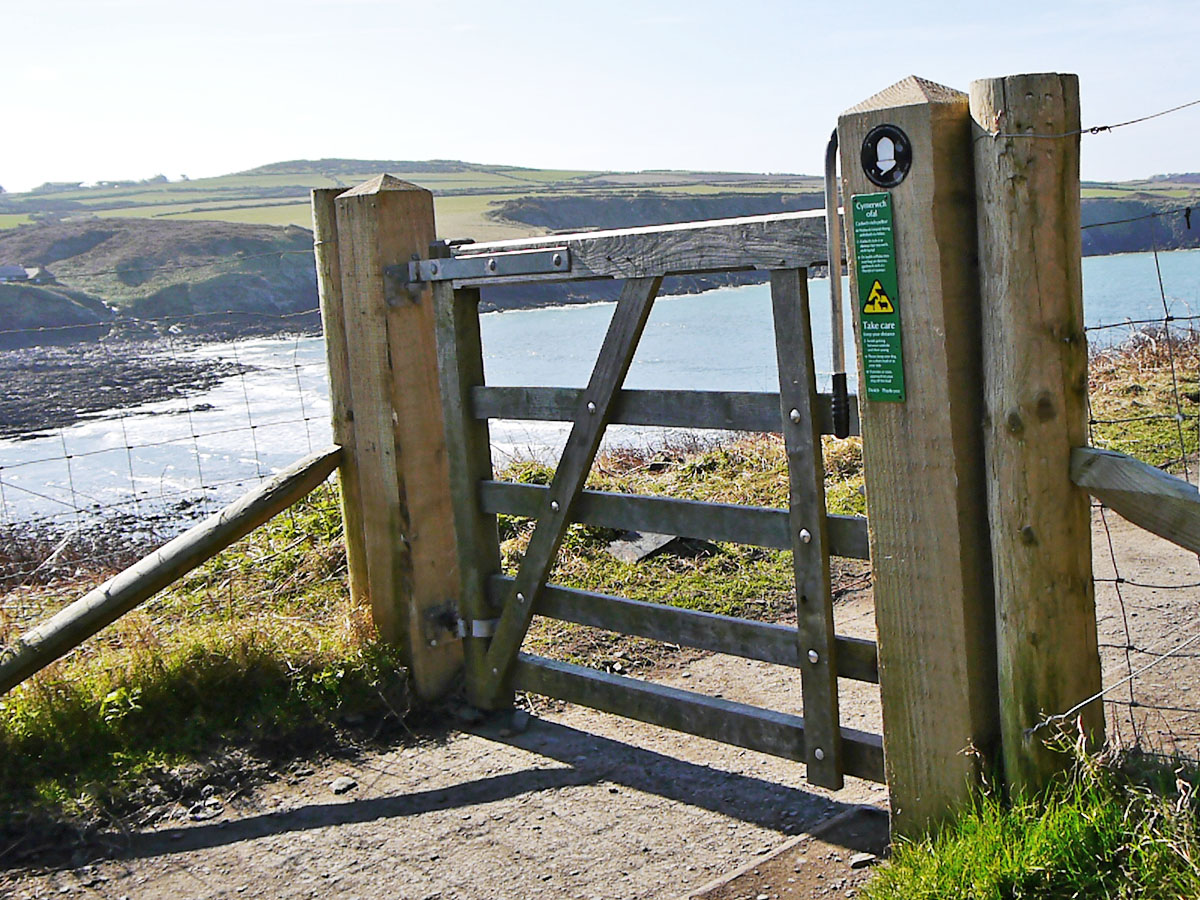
(201, 452)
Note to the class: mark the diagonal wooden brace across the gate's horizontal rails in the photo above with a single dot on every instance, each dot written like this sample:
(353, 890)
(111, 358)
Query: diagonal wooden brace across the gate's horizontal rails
(613, 363)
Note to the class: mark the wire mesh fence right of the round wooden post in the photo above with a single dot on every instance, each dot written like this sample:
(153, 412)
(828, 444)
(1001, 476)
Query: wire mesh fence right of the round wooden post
(1144, 400)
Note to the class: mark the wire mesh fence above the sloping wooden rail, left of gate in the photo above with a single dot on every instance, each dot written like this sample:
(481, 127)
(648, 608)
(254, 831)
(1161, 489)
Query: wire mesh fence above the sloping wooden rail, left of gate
(111, 447)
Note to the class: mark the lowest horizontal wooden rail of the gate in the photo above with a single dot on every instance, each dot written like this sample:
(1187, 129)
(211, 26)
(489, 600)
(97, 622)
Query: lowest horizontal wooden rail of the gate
(730, 723)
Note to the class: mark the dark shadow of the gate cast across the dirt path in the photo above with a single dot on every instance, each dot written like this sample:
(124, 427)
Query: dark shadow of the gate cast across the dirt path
(590, 760)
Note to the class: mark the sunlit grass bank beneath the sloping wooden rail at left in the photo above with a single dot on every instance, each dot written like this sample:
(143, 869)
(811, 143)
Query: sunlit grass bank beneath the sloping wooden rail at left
(260, 647)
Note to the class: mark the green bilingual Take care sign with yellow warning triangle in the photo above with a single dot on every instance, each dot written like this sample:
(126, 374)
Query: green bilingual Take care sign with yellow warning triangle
(879, 297)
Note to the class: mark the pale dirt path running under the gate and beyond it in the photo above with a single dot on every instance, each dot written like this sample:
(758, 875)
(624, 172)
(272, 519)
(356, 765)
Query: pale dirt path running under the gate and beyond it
(587, 806)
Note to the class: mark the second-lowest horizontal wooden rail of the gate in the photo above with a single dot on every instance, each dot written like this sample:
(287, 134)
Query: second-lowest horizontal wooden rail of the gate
(766, 643)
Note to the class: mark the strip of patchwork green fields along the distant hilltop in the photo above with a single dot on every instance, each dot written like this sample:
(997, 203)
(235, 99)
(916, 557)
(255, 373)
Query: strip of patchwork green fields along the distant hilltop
(488, 202)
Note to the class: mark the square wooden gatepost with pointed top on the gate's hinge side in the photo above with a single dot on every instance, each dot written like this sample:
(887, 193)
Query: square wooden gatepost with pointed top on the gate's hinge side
(399, 442)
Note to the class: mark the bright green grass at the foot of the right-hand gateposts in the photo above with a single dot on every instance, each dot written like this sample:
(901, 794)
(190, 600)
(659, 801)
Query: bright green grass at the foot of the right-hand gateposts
(1108, 829)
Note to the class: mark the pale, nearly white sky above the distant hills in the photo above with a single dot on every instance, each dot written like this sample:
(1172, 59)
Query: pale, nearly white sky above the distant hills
(115, 89)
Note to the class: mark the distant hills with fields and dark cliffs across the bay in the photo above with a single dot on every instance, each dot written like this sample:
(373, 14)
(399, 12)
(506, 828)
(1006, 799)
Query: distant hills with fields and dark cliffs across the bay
(241, 242)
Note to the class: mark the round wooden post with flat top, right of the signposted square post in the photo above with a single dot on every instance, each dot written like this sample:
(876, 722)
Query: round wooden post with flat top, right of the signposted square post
(1027, 158)
